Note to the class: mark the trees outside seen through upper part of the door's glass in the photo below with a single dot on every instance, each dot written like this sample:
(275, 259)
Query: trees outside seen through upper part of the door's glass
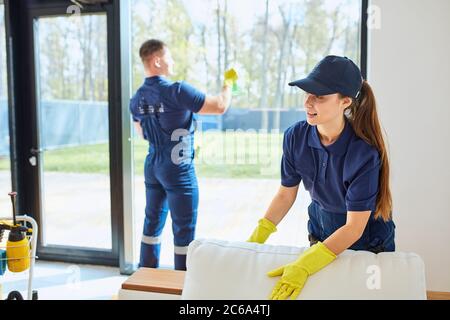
(72, 58)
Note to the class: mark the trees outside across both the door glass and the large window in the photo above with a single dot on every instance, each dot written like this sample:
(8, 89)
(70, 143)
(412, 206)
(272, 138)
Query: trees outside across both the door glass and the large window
(73, 53)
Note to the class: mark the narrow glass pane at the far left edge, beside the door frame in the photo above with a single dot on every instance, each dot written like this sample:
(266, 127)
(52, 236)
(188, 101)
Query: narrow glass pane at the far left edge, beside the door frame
(5, 165)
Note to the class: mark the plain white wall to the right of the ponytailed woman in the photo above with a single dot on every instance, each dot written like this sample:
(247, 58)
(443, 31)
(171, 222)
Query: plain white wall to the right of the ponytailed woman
(409, 69)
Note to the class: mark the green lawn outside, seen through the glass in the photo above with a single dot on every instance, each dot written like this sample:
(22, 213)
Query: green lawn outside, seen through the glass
(218, 155)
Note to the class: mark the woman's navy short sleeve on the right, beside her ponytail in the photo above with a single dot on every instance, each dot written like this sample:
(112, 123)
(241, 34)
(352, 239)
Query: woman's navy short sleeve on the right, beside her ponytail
(363, 189)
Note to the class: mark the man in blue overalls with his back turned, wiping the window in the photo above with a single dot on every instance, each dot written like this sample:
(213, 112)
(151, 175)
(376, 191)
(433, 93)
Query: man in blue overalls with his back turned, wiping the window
(163, 114)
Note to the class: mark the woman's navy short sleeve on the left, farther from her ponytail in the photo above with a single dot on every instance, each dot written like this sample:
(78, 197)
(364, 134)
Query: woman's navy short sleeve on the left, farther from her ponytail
(289, 175)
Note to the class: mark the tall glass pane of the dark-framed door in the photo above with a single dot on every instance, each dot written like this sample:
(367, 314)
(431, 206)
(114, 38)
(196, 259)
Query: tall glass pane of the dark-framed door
(73, 110)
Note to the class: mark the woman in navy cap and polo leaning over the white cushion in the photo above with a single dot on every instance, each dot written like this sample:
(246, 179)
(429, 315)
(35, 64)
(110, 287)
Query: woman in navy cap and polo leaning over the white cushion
(340, 155)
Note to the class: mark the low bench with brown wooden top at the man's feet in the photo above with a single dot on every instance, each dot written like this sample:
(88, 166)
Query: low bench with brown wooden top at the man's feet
(147, 283)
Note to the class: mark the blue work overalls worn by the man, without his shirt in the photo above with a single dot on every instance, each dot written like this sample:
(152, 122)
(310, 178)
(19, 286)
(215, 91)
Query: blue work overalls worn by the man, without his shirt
(170, 184)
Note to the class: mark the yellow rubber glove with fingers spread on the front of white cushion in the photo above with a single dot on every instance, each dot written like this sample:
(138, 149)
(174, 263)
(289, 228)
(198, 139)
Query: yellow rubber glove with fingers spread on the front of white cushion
(295, 274)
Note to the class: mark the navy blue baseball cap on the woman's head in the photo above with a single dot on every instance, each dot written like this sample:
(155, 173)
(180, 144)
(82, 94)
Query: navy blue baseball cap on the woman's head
(333, 74)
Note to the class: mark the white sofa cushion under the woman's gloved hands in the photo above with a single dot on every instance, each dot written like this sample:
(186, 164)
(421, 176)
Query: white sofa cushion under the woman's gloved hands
(219, 269)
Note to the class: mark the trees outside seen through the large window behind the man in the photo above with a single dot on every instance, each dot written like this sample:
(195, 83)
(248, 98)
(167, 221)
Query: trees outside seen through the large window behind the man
(316, 29)
